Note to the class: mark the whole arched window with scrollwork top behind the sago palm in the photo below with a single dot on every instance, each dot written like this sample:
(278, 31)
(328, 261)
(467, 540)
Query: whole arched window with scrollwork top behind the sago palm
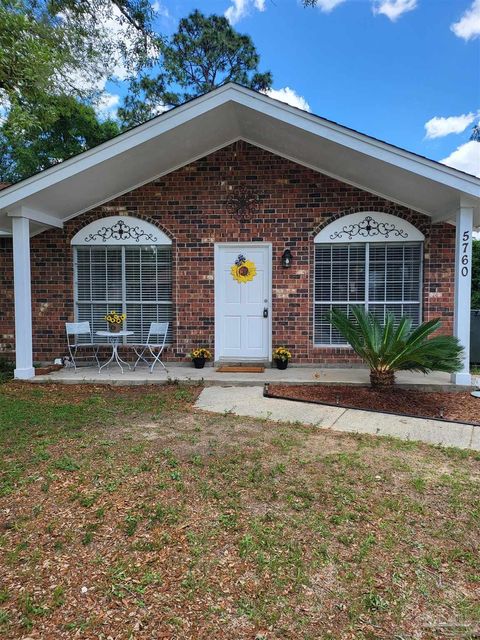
(370, 259)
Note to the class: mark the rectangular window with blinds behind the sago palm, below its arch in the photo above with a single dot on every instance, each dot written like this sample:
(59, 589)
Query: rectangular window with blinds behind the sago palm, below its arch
(382, 277)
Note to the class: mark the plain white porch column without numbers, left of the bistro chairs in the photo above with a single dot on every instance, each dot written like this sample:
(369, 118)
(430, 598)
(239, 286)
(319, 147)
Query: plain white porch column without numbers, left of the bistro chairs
(23, 298)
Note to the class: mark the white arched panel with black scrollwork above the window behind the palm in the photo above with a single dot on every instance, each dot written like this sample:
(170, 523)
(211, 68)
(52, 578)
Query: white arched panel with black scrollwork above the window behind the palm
(369, 226)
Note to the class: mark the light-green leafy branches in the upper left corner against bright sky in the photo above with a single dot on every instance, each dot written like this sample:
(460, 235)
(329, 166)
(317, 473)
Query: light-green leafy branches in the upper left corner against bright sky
(49, 47)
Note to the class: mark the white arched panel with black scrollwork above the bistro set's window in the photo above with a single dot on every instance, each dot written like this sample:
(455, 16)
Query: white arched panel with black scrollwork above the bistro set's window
(120, 230)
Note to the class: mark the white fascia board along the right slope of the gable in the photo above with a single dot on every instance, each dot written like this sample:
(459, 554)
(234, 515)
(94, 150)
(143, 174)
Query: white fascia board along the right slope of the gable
(362, 143)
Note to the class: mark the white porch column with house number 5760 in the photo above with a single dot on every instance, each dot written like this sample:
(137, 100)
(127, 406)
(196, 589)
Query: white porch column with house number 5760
(463, 286)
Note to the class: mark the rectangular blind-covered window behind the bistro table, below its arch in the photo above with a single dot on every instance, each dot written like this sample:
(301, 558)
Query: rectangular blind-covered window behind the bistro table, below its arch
(134, 280)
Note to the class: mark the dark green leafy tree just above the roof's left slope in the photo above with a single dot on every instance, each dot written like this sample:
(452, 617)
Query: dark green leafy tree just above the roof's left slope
(67, 127)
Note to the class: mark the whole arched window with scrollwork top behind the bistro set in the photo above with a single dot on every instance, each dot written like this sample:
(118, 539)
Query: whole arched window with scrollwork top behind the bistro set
(123, 264)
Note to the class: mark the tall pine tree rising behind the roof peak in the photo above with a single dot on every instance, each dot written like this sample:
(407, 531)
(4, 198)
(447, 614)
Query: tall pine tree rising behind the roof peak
(204, 53)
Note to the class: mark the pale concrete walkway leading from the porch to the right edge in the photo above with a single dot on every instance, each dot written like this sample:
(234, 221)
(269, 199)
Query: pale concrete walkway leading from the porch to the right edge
(249, 401)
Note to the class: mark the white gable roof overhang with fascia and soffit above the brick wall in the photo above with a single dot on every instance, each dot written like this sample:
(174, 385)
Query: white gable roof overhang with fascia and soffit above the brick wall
(217, 119)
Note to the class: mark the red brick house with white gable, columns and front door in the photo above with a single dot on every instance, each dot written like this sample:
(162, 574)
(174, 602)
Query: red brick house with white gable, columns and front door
(241, 220)
